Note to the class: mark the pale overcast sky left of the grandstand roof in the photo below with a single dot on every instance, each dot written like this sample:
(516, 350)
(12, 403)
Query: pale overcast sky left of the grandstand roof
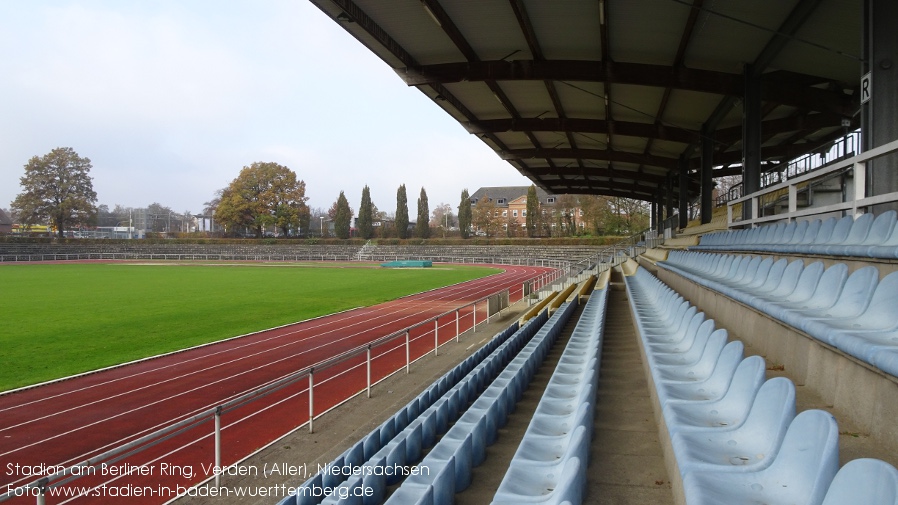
(171, 98)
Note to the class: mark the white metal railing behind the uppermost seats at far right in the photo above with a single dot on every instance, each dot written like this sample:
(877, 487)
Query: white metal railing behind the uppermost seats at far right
(854, 202)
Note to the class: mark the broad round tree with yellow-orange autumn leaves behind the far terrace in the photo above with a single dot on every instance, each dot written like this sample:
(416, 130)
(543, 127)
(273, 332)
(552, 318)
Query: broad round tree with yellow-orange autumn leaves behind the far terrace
(264, 194)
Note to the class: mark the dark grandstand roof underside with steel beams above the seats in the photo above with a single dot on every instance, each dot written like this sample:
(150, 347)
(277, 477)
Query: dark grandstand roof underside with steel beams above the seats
(611, 96)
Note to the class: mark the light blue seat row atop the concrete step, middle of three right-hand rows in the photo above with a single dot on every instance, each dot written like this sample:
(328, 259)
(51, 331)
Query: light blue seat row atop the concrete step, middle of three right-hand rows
(854, 313)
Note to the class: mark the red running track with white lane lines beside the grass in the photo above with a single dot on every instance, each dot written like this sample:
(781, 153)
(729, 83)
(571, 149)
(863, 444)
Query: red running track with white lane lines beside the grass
(67, 422)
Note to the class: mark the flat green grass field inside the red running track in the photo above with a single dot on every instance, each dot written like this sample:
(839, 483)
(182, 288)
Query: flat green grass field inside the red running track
(59, 320)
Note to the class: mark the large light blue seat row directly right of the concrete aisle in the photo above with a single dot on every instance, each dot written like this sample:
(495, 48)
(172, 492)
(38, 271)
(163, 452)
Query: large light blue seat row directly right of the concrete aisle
(735, 436)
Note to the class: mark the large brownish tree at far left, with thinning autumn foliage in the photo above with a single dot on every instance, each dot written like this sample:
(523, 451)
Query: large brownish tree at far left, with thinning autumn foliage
(57, 187)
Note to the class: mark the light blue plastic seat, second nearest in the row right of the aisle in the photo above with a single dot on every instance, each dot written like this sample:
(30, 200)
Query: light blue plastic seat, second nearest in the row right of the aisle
(800, 473)
